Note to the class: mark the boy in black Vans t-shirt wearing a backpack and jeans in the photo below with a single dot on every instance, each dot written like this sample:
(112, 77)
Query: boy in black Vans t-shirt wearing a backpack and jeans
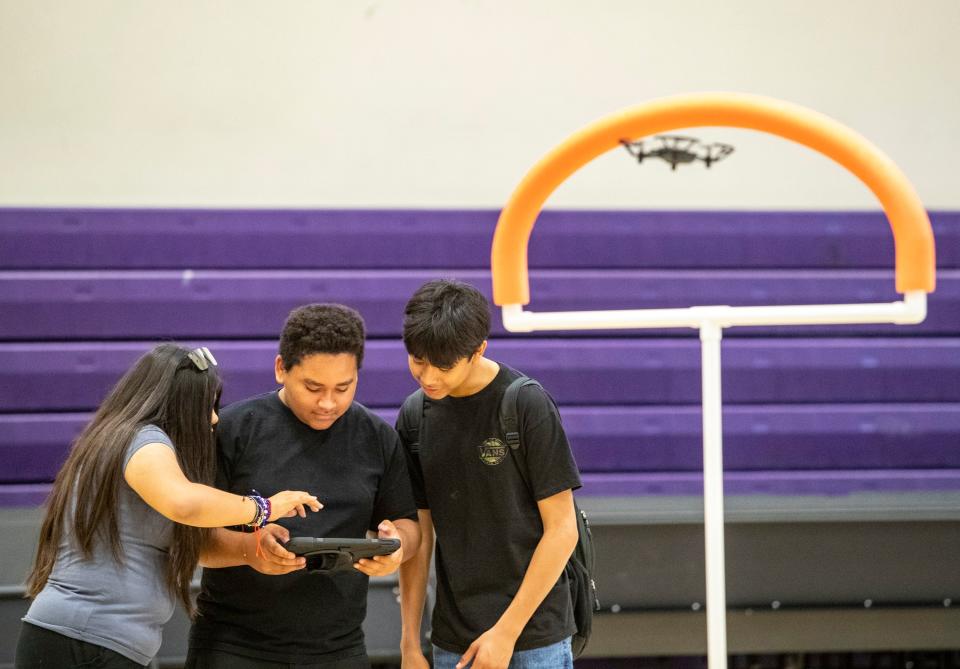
(503, 536)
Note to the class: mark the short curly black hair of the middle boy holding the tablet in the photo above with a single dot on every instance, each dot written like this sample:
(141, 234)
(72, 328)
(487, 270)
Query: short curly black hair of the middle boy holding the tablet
(321, 328)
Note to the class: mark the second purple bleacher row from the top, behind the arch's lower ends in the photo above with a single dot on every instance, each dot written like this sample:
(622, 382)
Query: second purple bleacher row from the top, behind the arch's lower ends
(249, 304)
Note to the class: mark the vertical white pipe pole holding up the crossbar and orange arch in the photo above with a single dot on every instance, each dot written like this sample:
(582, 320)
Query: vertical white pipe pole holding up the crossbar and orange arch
(711, 335)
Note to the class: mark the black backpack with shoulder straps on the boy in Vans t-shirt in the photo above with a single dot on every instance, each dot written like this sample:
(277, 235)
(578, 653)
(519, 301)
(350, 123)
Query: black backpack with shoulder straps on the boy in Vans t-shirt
(580, 567)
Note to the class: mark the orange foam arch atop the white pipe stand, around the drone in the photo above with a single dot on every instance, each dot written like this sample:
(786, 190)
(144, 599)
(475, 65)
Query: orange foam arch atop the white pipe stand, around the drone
(913, 237)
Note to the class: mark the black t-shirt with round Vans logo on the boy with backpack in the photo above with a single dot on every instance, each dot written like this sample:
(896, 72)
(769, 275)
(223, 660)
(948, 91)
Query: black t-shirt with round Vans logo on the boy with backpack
(485, 514)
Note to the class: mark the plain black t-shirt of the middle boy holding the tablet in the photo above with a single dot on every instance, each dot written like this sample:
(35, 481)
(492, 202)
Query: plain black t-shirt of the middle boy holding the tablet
(357, 469)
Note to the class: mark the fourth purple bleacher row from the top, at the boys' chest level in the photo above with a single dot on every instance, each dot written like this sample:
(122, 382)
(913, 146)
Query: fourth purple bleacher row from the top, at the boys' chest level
(645, 439)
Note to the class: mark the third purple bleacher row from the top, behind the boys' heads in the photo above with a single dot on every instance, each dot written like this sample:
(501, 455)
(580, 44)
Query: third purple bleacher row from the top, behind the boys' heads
(76, 376)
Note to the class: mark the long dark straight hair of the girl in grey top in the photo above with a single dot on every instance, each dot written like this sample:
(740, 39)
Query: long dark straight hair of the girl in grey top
(164, 388)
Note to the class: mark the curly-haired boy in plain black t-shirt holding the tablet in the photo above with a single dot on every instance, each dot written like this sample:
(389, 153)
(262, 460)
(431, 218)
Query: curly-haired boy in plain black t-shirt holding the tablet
(312, 432)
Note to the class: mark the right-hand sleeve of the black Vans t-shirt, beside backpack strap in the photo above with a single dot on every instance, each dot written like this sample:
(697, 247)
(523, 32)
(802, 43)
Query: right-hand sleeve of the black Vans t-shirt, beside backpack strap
(550, 466)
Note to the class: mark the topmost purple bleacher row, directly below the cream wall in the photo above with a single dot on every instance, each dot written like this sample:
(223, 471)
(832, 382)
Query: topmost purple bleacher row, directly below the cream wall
(152, 239)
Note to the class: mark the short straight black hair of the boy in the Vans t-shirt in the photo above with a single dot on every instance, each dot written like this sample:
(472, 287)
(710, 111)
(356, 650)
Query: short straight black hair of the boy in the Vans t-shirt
(444, 321)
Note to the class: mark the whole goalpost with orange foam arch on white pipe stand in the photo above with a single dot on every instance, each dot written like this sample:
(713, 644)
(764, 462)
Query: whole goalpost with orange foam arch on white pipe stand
(914, 265)
